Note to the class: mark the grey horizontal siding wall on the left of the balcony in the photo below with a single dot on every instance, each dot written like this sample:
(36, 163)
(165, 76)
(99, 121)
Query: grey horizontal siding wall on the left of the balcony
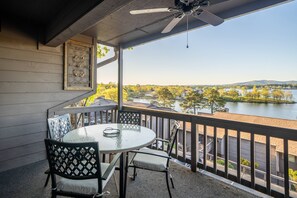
(31, 81)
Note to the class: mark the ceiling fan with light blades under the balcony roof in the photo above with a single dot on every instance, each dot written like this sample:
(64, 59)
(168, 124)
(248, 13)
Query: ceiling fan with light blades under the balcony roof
(195, 8)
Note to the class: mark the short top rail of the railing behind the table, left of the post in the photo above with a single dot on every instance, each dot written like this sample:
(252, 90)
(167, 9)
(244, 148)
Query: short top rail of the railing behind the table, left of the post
(73, 110)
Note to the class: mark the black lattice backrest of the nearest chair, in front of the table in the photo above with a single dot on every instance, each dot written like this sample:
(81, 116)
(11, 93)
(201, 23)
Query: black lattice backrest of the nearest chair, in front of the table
(74, 160)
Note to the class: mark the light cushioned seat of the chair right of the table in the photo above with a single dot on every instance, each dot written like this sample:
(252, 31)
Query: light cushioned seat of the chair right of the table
(151, 162)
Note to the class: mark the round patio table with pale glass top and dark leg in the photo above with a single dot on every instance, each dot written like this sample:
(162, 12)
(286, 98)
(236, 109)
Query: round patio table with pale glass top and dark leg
(129, 137)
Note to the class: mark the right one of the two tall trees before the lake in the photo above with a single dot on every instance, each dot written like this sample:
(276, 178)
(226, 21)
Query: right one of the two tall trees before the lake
(213, 100)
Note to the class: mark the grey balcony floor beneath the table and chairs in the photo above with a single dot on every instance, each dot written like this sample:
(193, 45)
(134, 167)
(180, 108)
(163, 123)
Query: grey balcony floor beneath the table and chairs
(28, 181)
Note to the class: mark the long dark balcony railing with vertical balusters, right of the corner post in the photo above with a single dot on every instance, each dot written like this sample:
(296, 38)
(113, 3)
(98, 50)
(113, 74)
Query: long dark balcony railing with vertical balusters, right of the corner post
(203, 127)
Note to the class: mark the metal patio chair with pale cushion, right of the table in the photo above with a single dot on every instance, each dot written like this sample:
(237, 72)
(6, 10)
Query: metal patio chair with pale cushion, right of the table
(156, 160)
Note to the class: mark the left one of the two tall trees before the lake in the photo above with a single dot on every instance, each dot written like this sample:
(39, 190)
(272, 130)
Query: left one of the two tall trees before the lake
(193, 101)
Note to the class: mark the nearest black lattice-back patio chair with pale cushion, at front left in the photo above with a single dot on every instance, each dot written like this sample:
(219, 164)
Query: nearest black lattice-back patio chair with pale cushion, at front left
(76, 170)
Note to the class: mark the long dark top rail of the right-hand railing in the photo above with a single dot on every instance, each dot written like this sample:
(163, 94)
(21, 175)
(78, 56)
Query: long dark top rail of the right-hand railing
(273, 131)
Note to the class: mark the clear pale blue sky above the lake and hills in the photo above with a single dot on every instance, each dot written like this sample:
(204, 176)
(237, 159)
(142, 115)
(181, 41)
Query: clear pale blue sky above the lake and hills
(258, 46)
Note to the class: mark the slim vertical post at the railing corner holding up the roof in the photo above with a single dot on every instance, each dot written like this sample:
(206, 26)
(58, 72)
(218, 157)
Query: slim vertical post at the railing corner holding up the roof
(120, 79)
